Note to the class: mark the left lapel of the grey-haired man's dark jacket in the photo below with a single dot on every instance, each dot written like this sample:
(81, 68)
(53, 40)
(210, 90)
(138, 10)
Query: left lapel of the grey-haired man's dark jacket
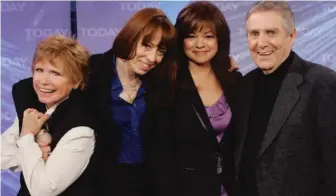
(248, 89)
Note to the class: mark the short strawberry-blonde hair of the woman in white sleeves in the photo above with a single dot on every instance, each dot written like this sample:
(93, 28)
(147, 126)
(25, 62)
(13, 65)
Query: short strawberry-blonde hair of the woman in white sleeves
(64, 53)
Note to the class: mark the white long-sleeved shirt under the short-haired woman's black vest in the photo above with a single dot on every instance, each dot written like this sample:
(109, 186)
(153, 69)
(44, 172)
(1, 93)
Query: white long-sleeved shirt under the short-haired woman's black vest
(65, 164)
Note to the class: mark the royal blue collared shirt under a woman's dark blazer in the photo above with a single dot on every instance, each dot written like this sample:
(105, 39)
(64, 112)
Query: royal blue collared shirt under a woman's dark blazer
(128, 118)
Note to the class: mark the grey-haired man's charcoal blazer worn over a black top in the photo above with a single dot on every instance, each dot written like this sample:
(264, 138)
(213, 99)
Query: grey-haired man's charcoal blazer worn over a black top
(297, 155)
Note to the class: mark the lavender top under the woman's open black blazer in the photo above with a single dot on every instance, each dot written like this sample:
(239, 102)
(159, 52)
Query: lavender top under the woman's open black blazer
(220, 116)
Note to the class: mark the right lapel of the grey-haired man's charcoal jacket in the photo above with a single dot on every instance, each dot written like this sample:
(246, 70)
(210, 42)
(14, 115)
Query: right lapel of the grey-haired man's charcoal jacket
(288, 97)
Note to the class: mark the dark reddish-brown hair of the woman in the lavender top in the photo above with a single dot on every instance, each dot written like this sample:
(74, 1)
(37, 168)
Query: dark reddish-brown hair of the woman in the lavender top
(196, 16)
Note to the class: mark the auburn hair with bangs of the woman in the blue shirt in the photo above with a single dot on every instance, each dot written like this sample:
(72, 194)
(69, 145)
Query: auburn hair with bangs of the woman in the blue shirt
(143, 25)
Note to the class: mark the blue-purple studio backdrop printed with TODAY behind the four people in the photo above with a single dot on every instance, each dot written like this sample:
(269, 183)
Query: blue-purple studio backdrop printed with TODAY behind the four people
(25, 23)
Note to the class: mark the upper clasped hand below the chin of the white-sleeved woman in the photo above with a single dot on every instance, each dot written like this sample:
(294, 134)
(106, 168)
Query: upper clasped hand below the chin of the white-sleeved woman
(33, 121)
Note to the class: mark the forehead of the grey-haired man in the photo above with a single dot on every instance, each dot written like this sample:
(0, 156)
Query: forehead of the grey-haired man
(265, 20)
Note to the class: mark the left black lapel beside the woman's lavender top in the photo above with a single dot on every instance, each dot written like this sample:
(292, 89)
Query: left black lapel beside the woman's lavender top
(192, 98)
